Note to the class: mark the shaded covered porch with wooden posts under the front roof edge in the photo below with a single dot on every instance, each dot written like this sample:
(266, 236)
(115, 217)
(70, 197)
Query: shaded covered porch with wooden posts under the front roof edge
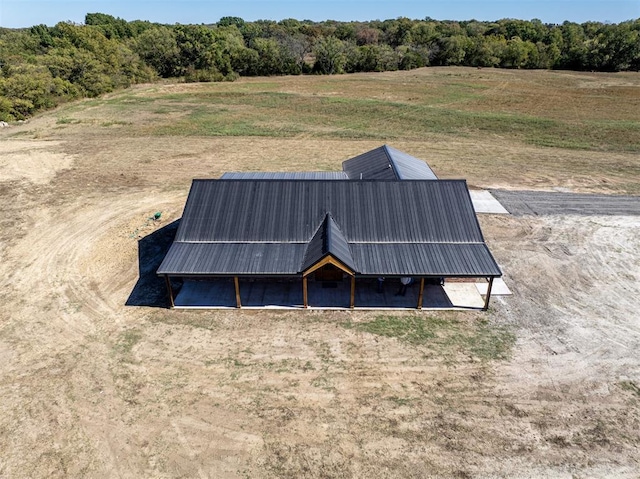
(346, 293)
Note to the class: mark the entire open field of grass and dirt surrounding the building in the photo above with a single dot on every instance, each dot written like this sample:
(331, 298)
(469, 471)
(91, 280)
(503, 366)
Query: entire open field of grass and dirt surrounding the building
(546, 384)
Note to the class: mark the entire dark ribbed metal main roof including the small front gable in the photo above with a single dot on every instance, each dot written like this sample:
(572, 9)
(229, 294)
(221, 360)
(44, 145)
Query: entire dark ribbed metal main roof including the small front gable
(376, 227)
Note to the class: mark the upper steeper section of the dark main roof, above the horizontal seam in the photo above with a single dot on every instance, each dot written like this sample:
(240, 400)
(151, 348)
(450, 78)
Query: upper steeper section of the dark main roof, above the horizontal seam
(290, 211)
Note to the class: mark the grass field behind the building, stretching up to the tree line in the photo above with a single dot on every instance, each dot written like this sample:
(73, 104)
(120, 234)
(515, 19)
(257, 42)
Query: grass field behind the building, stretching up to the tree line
(574, 130)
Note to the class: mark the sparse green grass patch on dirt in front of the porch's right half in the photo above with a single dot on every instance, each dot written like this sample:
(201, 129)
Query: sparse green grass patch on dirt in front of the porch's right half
(444, 336)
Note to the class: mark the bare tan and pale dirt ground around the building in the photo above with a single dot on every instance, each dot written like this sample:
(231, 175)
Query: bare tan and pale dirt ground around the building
(92, 387)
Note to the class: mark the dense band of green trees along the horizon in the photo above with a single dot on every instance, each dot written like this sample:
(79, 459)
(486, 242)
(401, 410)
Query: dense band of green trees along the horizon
(42, 66)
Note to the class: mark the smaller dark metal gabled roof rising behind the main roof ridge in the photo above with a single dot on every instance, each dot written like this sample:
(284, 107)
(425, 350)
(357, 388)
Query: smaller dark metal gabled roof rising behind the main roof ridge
(387, 163)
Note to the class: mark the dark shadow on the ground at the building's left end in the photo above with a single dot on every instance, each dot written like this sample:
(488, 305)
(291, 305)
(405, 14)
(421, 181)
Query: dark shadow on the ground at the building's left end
(150, 290)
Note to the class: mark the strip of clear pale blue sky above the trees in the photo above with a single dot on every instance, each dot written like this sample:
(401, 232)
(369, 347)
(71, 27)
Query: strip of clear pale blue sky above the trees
(25, 13)
